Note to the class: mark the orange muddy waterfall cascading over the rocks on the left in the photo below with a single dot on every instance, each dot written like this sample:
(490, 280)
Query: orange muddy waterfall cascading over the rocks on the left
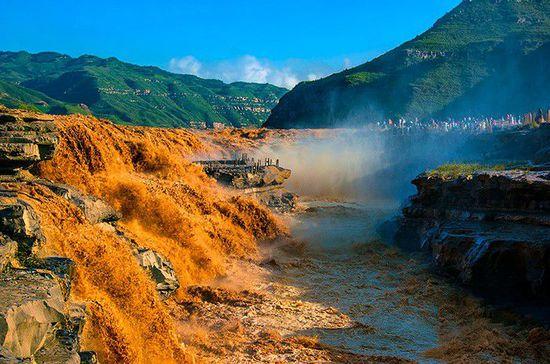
(168, 205)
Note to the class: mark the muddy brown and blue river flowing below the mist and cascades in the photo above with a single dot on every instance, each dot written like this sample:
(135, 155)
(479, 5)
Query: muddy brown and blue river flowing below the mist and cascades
(399, 305)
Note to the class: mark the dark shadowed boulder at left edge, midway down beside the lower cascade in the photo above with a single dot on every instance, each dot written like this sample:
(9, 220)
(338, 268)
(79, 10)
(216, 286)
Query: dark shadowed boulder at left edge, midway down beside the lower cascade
(19, 222)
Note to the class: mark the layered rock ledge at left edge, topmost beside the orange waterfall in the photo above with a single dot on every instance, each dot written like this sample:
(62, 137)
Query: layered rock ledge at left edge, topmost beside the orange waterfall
(25, 138)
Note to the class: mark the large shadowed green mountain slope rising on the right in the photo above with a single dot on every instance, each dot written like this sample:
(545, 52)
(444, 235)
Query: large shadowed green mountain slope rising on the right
(485, 57)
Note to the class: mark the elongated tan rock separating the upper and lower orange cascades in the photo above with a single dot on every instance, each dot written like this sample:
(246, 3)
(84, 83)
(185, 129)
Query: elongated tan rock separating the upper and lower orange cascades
(95, 210)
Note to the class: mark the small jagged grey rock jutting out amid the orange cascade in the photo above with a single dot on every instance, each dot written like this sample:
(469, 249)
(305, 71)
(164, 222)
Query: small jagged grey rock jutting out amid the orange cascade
(160, 269)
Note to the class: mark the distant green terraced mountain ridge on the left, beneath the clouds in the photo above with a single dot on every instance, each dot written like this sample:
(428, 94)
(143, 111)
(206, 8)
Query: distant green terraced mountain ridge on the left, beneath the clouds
(129, 94)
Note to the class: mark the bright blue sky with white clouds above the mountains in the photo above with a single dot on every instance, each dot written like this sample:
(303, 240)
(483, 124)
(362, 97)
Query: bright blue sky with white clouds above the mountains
(278, 41)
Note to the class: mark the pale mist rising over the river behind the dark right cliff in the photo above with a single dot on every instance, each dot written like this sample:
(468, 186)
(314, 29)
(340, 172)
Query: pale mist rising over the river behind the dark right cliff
(365, 165)
